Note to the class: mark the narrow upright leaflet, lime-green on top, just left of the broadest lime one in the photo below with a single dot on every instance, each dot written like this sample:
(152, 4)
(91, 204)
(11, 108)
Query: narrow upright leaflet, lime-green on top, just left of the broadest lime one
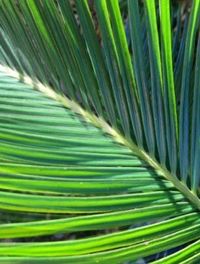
(156, 77)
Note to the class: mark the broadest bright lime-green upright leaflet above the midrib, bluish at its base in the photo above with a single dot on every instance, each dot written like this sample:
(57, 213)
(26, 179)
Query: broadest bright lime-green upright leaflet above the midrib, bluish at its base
(168, 81)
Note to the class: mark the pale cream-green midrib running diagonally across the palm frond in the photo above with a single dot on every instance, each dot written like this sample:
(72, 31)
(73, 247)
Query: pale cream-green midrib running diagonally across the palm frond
(103, 125)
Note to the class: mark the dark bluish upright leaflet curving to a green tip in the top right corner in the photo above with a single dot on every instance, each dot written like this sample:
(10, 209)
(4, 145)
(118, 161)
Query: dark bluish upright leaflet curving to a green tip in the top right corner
(193, 26)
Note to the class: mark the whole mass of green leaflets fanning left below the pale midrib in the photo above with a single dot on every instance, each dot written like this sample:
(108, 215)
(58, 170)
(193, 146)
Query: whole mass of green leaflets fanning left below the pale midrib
(53, 162)
